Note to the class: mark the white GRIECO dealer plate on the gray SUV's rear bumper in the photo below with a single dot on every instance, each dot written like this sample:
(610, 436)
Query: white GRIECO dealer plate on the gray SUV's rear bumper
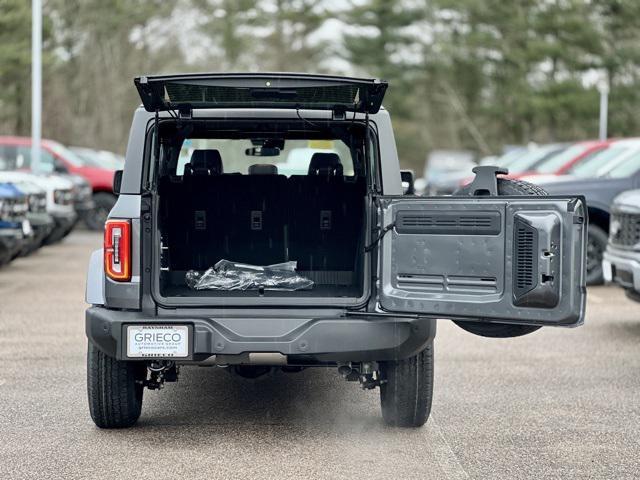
(157, 341)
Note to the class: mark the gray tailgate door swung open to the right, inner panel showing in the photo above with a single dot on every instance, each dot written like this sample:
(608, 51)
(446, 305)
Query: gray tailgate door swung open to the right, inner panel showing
(517, 260)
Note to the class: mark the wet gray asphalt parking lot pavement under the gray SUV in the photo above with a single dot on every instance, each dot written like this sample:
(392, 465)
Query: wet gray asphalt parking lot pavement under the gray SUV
(556, 404)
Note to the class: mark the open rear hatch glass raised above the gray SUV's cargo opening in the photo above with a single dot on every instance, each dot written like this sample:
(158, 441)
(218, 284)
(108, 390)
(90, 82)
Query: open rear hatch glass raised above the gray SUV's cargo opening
(264, 90)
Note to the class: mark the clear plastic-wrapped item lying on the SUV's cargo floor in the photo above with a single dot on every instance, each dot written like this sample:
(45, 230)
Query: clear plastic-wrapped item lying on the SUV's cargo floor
(227, 275)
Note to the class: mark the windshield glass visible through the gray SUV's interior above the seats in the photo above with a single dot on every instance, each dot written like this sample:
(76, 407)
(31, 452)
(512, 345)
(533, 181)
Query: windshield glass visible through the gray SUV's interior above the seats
(292, 159)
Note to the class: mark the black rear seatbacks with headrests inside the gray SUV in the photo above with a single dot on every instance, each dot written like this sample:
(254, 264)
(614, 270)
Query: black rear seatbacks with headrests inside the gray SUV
(262, 217)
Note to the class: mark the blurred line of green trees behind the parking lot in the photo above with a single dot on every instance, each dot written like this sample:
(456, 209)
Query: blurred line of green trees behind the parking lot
(463, 74)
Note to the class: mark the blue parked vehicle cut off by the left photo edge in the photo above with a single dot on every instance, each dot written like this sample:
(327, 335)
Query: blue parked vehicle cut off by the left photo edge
(14, 226)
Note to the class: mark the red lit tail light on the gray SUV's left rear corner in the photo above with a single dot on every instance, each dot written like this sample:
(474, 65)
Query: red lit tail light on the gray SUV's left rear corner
(117, 250)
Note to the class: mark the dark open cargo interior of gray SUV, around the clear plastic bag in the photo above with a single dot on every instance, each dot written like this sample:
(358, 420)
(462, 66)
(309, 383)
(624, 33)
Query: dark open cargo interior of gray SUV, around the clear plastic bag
(303, 201)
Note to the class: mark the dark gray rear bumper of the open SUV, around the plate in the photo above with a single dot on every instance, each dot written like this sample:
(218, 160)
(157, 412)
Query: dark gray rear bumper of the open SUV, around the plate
(326, 339)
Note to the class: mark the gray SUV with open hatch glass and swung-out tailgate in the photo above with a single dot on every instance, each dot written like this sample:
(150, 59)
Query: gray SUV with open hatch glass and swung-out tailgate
(261, 224)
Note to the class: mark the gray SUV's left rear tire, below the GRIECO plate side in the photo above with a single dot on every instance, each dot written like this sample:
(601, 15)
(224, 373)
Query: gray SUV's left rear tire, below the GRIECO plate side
(114, 389)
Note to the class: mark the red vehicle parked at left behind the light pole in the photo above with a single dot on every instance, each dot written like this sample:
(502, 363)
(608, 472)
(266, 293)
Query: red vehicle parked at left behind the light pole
(56, 157)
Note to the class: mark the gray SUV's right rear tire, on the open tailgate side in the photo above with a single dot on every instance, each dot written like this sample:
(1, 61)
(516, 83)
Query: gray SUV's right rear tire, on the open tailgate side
(407, 389)
